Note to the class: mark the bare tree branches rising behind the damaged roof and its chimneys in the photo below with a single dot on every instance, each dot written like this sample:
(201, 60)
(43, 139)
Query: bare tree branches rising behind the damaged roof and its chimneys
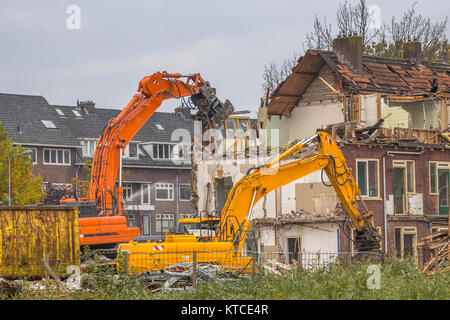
(386, 40)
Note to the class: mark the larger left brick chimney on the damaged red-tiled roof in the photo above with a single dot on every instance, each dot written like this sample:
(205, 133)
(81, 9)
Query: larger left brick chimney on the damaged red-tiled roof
(349, 49)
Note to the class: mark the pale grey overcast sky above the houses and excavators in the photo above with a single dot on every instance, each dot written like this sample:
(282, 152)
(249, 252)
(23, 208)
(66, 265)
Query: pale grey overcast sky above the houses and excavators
(227, 42)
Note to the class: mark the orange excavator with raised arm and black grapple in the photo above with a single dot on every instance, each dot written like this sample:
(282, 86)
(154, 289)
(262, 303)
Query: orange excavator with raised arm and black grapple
(102, 222)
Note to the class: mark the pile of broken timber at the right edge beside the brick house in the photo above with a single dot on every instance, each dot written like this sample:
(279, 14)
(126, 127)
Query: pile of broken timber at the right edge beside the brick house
(439, 245)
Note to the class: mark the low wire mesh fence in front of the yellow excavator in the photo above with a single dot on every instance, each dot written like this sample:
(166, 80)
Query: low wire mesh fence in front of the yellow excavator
(231, 262)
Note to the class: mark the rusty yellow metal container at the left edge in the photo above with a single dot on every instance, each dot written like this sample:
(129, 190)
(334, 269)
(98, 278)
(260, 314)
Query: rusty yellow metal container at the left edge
(31, 234)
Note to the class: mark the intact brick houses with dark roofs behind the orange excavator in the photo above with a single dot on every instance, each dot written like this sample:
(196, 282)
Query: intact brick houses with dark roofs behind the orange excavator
(63, 139)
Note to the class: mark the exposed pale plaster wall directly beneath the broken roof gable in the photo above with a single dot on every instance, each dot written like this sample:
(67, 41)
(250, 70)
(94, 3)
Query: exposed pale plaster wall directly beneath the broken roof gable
(306, 120)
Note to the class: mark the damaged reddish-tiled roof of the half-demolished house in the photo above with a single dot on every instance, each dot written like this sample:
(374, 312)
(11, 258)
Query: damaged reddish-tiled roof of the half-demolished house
(379, 75)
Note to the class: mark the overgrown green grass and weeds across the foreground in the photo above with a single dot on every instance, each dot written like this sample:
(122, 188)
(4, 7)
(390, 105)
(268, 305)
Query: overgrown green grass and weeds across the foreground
(400, 280)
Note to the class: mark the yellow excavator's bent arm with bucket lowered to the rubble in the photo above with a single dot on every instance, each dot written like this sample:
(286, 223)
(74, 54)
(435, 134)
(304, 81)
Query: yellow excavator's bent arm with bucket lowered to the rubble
(236, 214)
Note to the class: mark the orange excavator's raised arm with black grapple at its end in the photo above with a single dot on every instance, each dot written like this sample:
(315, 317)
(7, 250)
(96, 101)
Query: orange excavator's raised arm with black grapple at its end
(116, 135)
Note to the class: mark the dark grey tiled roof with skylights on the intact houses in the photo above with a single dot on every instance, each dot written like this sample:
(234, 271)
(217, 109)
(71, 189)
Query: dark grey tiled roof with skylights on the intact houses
(22, 117)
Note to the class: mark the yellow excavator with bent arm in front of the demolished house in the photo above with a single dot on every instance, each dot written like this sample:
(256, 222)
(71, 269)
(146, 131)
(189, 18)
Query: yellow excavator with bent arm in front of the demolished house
(225, 249)
